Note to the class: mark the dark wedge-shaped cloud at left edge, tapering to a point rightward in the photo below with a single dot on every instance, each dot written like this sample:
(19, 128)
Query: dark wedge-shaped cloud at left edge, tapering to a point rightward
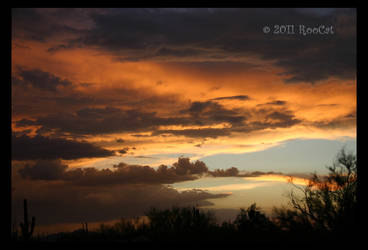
(39, 147)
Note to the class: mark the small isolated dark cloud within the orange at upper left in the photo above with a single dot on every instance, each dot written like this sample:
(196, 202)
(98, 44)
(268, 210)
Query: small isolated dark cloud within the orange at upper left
(40, 79)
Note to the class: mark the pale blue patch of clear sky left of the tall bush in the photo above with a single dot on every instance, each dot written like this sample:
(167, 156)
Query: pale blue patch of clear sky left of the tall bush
(299, 155)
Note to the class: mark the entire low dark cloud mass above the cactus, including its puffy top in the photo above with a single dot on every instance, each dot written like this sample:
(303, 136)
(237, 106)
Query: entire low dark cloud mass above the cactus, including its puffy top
(60, 194)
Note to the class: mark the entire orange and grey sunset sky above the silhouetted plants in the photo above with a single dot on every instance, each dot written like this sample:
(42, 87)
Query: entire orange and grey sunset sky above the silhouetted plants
(97, 94)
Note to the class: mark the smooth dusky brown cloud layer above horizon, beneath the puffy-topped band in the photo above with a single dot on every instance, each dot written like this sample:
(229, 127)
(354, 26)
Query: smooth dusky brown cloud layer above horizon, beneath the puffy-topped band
(55, 202)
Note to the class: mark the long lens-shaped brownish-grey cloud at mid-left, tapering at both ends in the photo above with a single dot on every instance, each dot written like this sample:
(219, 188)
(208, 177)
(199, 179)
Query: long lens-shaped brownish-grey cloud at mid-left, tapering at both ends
(103, 120)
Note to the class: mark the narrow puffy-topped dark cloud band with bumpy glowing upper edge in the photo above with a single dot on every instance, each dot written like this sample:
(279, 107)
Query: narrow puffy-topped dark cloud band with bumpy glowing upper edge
(181, 170)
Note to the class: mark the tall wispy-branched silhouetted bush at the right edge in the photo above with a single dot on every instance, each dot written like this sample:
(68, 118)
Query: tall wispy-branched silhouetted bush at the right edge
(330, 203)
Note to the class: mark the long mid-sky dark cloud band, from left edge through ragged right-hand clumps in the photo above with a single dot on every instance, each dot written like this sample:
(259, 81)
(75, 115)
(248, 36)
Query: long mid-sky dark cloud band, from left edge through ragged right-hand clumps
(92, 121)
